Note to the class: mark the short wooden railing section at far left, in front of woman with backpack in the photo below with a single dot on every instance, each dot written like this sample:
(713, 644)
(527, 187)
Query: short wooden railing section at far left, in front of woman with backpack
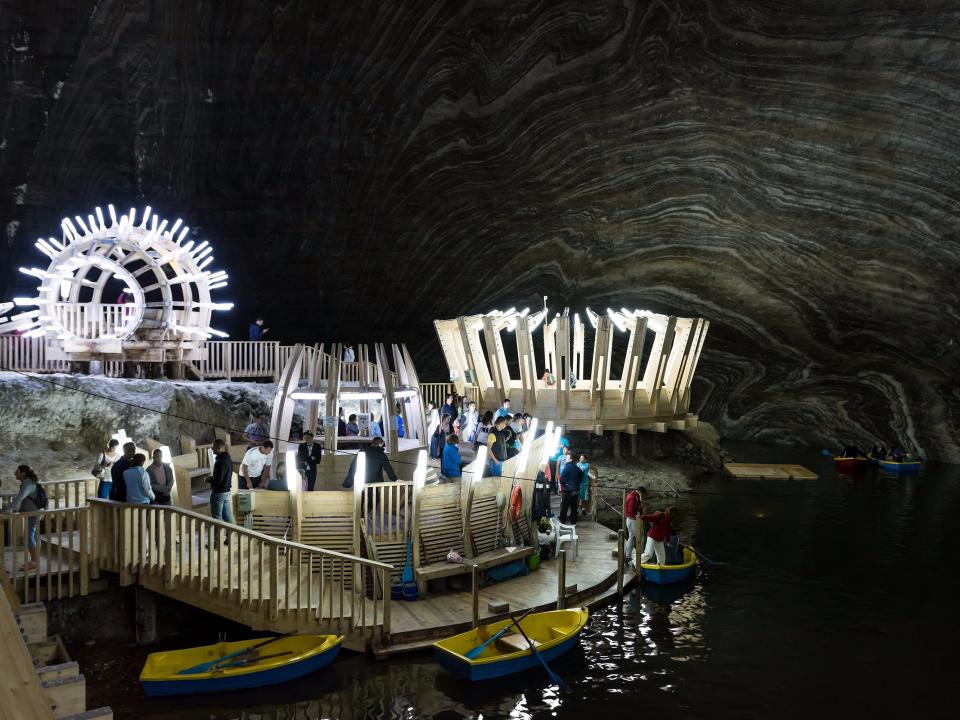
(62, 552)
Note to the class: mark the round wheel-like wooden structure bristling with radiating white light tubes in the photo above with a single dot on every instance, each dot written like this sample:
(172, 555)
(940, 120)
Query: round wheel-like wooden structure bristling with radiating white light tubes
(164, 289)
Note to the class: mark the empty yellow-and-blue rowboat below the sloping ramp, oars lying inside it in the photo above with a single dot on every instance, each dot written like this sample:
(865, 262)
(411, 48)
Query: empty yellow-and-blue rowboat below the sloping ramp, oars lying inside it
(237, 665)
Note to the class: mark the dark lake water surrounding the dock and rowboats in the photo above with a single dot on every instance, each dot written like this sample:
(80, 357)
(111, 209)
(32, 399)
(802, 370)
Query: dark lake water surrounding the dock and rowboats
(839, 601)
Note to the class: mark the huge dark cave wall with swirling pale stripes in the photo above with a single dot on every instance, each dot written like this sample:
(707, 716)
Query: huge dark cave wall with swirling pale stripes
(787, 170)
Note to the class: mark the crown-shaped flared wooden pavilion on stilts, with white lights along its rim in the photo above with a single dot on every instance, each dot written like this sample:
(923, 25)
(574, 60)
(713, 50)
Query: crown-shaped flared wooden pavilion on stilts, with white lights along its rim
(651, 391)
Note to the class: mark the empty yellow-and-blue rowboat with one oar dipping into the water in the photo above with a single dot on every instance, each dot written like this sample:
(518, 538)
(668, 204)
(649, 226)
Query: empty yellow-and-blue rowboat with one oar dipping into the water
(554, 633)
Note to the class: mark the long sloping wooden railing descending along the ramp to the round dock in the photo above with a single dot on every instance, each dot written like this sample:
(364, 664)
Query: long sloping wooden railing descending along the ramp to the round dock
(259, 579)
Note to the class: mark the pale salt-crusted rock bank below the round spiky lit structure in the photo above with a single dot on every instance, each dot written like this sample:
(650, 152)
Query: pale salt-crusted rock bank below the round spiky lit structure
(57, 423)
